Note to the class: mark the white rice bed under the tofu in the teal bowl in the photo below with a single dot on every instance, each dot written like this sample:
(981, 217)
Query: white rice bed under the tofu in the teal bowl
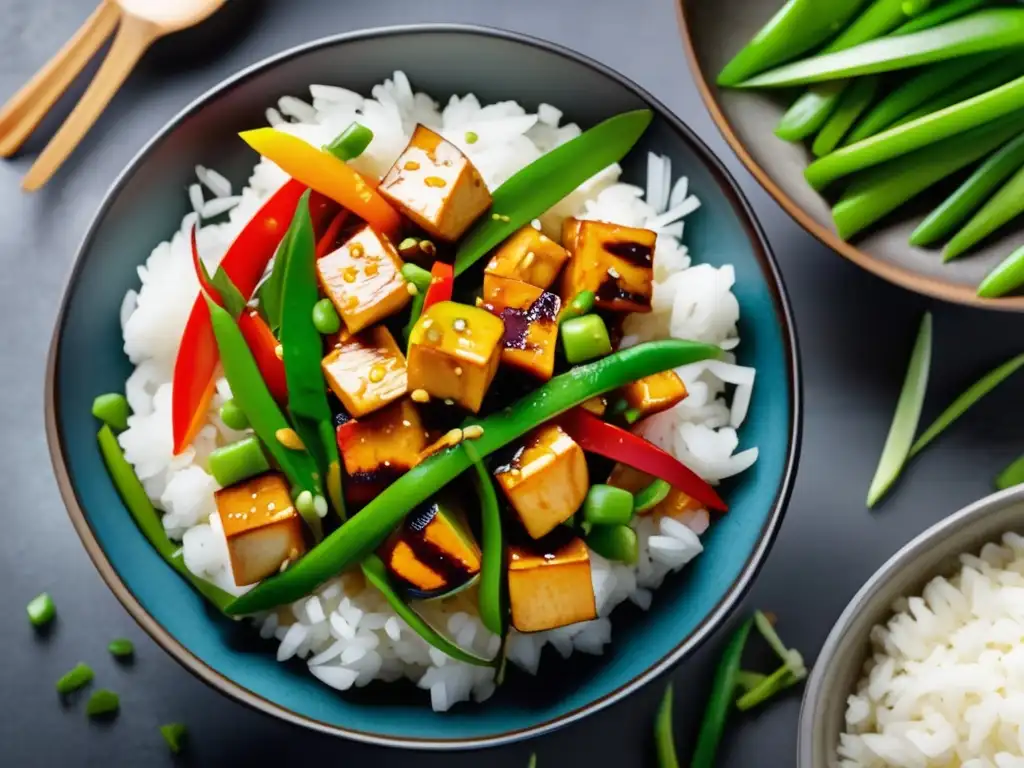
(346, 632)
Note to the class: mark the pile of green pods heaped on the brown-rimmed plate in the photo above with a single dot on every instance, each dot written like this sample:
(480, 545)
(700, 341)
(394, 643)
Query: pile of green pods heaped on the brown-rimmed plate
(903, 97)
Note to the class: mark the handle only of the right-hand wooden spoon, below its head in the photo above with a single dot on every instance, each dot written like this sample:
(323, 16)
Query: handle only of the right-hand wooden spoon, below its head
(135, 36)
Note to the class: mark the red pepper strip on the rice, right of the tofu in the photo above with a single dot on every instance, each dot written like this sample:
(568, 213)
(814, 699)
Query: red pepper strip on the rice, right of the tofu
(598, 437)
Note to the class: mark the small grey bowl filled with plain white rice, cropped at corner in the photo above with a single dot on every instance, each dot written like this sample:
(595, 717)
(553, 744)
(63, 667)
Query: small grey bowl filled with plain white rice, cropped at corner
(925, 668)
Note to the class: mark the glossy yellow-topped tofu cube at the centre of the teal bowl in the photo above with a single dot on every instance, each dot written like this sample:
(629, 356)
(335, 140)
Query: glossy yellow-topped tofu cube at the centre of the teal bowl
(454, 353)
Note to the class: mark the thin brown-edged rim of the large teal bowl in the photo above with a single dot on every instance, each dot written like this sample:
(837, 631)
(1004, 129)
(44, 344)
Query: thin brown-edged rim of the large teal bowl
(220, 682)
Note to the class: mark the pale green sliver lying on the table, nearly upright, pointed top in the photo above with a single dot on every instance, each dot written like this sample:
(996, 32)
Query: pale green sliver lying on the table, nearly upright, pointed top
(905, 424)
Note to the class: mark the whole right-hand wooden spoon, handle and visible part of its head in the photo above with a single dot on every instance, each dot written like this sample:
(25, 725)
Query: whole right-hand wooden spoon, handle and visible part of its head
(143, 23)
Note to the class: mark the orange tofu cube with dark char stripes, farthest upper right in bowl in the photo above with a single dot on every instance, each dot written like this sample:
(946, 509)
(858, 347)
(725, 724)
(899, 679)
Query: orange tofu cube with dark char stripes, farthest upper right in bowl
(616, 263)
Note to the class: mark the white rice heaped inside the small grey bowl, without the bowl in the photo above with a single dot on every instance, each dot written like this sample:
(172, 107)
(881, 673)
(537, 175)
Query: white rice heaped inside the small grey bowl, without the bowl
(946, 684)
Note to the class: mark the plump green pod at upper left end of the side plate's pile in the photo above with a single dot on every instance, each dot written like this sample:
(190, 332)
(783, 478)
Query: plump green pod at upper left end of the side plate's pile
(797, 28)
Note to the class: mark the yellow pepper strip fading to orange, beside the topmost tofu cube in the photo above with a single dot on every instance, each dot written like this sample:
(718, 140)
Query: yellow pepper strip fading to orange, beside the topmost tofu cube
(327, 175)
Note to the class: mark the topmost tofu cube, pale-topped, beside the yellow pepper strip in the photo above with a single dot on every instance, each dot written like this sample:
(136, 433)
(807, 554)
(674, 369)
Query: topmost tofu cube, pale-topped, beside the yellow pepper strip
(436, 186)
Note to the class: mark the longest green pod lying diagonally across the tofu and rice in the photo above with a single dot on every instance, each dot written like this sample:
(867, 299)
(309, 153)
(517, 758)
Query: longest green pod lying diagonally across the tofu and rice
(364, 533)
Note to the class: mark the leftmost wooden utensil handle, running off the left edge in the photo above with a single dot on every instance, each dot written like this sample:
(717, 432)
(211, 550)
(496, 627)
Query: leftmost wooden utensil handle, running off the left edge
(26, 109)
